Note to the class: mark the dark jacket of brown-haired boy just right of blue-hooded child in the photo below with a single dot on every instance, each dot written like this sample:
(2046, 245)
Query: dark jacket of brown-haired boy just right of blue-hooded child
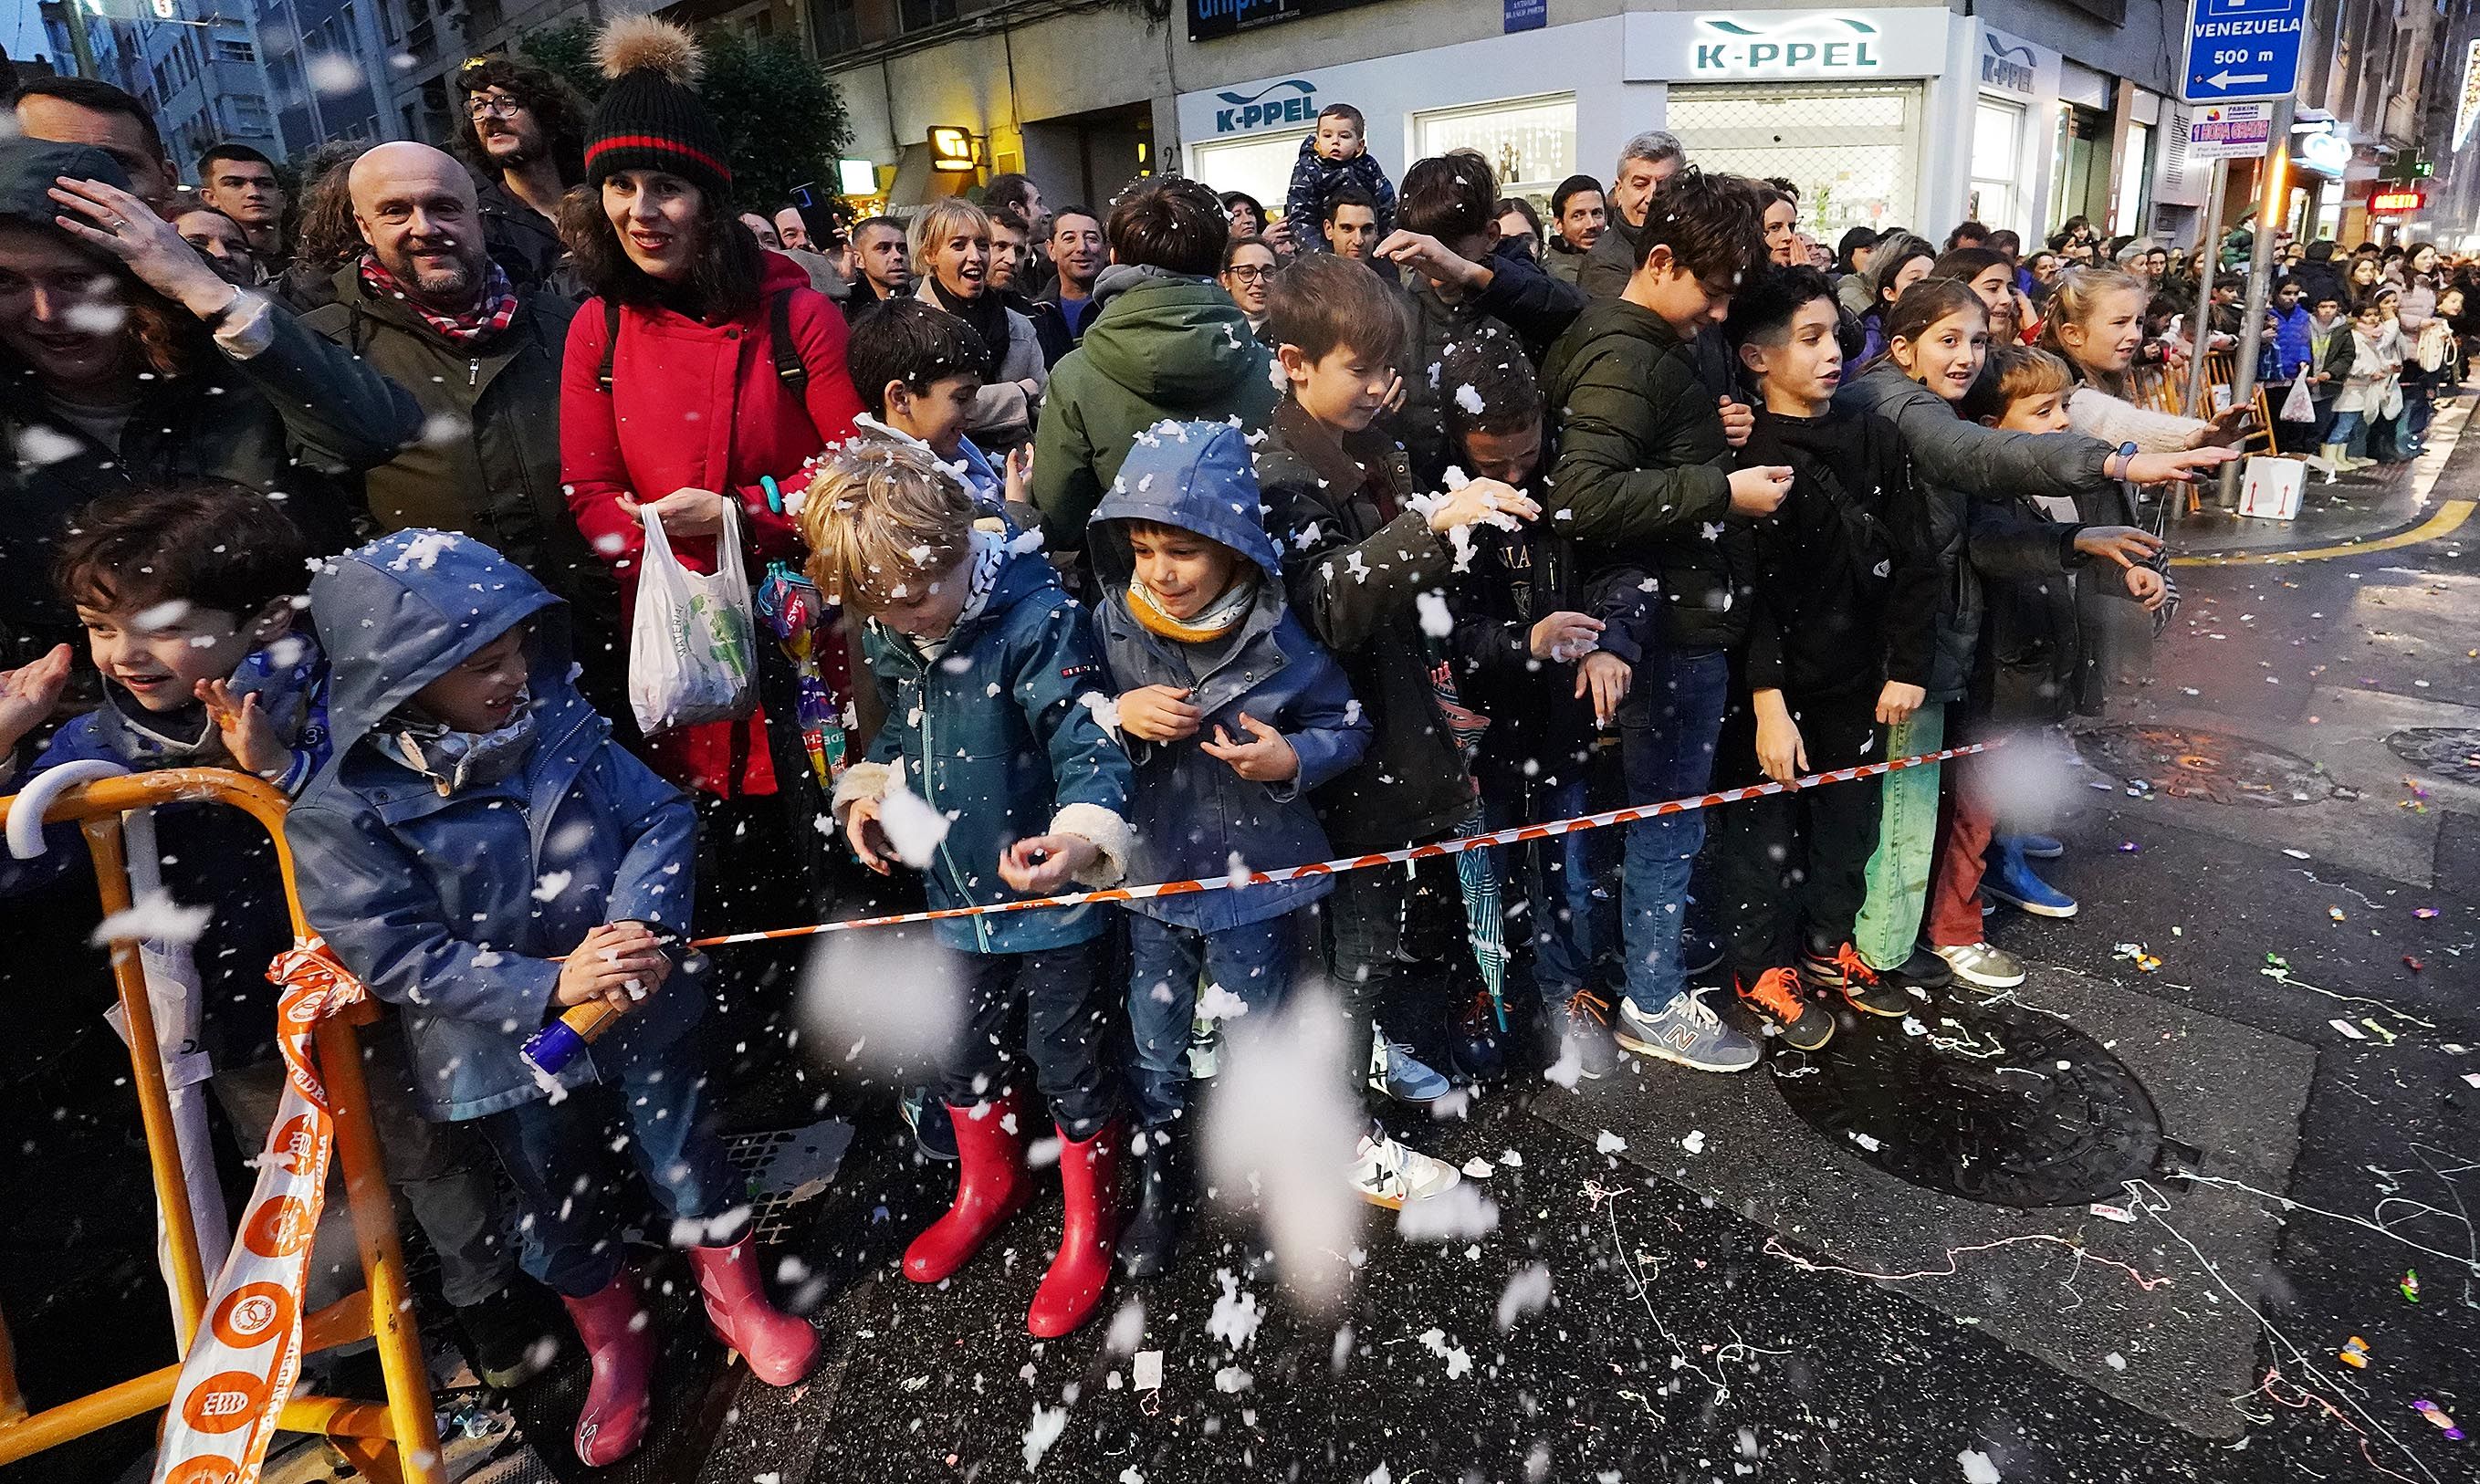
(1358, 562)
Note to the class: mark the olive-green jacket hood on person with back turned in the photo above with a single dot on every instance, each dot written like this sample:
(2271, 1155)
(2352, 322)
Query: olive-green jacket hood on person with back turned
(1172, 341)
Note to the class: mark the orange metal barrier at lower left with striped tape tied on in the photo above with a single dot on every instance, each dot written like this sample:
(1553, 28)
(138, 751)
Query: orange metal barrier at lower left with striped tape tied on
(396, 1443)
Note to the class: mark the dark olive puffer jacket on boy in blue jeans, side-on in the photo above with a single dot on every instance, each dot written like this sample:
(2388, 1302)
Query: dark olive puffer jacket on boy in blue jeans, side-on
(1645, 473)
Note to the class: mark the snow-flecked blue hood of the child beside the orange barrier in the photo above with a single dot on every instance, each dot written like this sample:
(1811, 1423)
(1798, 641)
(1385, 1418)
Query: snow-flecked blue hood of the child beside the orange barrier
(408, 609)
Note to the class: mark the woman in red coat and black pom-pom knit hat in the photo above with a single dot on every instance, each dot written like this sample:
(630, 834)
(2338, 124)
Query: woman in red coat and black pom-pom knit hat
(703, 371)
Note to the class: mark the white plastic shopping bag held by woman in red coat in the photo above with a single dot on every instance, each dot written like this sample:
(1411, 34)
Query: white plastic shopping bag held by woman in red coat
(691, 651)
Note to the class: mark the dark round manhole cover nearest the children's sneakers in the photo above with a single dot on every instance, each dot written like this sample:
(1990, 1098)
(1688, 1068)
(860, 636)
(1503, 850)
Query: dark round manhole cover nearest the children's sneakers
(1990, 1103)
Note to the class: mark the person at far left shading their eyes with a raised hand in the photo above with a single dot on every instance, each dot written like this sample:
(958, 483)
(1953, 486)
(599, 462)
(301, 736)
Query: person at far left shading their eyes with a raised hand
(105, 311)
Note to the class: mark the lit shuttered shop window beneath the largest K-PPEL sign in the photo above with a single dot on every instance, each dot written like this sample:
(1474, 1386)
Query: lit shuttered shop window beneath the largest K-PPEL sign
(1849, 150)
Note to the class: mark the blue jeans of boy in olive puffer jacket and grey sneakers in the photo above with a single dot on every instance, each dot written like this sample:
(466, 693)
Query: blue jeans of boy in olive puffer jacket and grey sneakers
(1668, 733)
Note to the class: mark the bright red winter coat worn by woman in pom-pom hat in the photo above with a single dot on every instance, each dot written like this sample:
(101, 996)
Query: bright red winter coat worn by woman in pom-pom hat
(701, 406)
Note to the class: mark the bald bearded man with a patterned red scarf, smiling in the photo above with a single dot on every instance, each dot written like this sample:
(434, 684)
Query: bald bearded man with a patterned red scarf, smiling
(438, 316)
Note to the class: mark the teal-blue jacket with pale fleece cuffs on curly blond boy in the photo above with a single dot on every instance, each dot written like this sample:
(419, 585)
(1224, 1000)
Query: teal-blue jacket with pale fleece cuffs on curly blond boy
(1001, 733)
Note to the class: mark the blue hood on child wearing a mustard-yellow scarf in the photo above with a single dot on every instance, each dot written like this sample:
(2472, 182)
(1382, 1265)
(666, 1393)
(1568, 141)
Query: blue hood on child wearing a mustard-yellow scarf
(1189, 475)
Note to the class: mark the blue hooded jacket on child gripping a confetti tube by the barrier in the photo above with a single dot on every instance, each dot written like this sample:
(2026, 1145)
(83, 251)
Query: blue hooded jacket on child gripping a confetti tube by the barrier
(453, 890)
